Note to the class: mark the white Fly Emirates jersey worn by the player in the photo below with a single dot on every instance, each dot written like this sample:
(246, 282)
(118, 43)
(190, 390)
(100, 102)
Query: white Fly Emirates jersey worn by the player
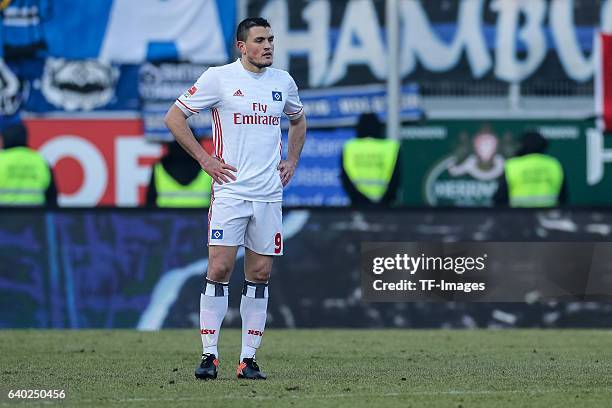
(246, 111)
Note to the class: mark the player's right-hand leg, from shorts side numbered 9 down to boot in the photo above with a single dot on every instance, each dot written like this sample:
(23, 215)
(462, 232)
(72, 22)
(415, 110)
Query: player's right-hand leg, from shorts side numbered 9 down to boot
(263, 241)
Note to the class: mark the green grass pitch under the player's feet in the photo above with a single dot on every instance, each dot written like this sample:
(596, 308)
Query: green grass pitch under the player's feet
(320, 368)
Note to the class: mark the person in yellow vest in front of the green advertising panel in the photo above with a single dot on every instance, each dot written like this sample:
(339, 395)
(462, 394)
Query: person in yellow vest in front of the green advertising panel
(532, 178)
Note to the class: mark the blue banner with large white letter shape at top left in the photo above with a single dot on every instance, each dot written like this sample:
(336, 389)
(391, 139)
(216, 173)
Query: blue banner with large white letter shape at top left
(121, 31)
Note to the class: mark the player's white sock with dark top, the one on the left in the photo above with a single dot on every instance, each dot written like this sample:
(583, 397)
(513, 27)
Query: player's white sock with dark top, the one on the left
(213, 307)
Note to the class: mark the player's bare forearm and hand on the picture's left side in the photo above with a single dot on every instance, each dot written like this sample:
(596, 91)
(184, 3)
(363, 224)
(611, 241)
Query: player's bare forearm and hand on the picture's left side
(176, 121)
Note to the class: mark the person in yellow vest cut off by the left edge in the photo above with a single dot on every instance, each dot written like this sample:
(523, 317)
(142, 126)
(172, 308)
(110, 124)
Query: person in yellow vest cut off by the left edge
(25, 176)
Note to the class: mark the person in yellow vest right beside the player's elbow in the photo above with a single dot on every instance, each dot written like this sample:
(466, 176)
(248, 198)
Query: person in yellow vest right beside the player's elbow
(178, 181)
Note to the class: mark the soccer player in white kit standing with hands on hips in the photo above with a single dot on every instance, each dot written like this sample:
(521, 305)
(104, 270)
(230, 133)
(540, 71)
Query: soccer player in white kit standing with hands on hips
(247, 99)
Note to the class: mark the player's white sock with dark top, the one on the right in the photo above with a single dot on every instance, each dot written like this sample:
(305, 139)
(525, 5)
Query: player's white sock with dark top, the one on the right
(253, 310)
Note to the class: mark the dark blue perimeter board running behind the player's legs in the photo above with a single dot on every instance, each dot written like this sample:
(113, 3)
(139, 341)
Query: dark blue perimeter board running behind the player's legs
(126, 268)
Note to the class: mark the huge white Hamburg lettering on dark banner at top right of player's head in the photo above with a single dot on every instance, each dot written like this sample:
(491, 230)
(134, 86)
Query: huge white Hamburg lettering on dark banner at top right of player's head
(360, 40)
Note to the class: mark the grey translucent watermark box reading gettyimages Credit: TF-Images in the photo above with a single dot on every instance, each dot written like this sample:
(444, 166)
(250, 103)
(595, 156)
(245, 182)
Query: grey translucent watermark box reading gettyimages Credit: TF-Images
(491, 271)
